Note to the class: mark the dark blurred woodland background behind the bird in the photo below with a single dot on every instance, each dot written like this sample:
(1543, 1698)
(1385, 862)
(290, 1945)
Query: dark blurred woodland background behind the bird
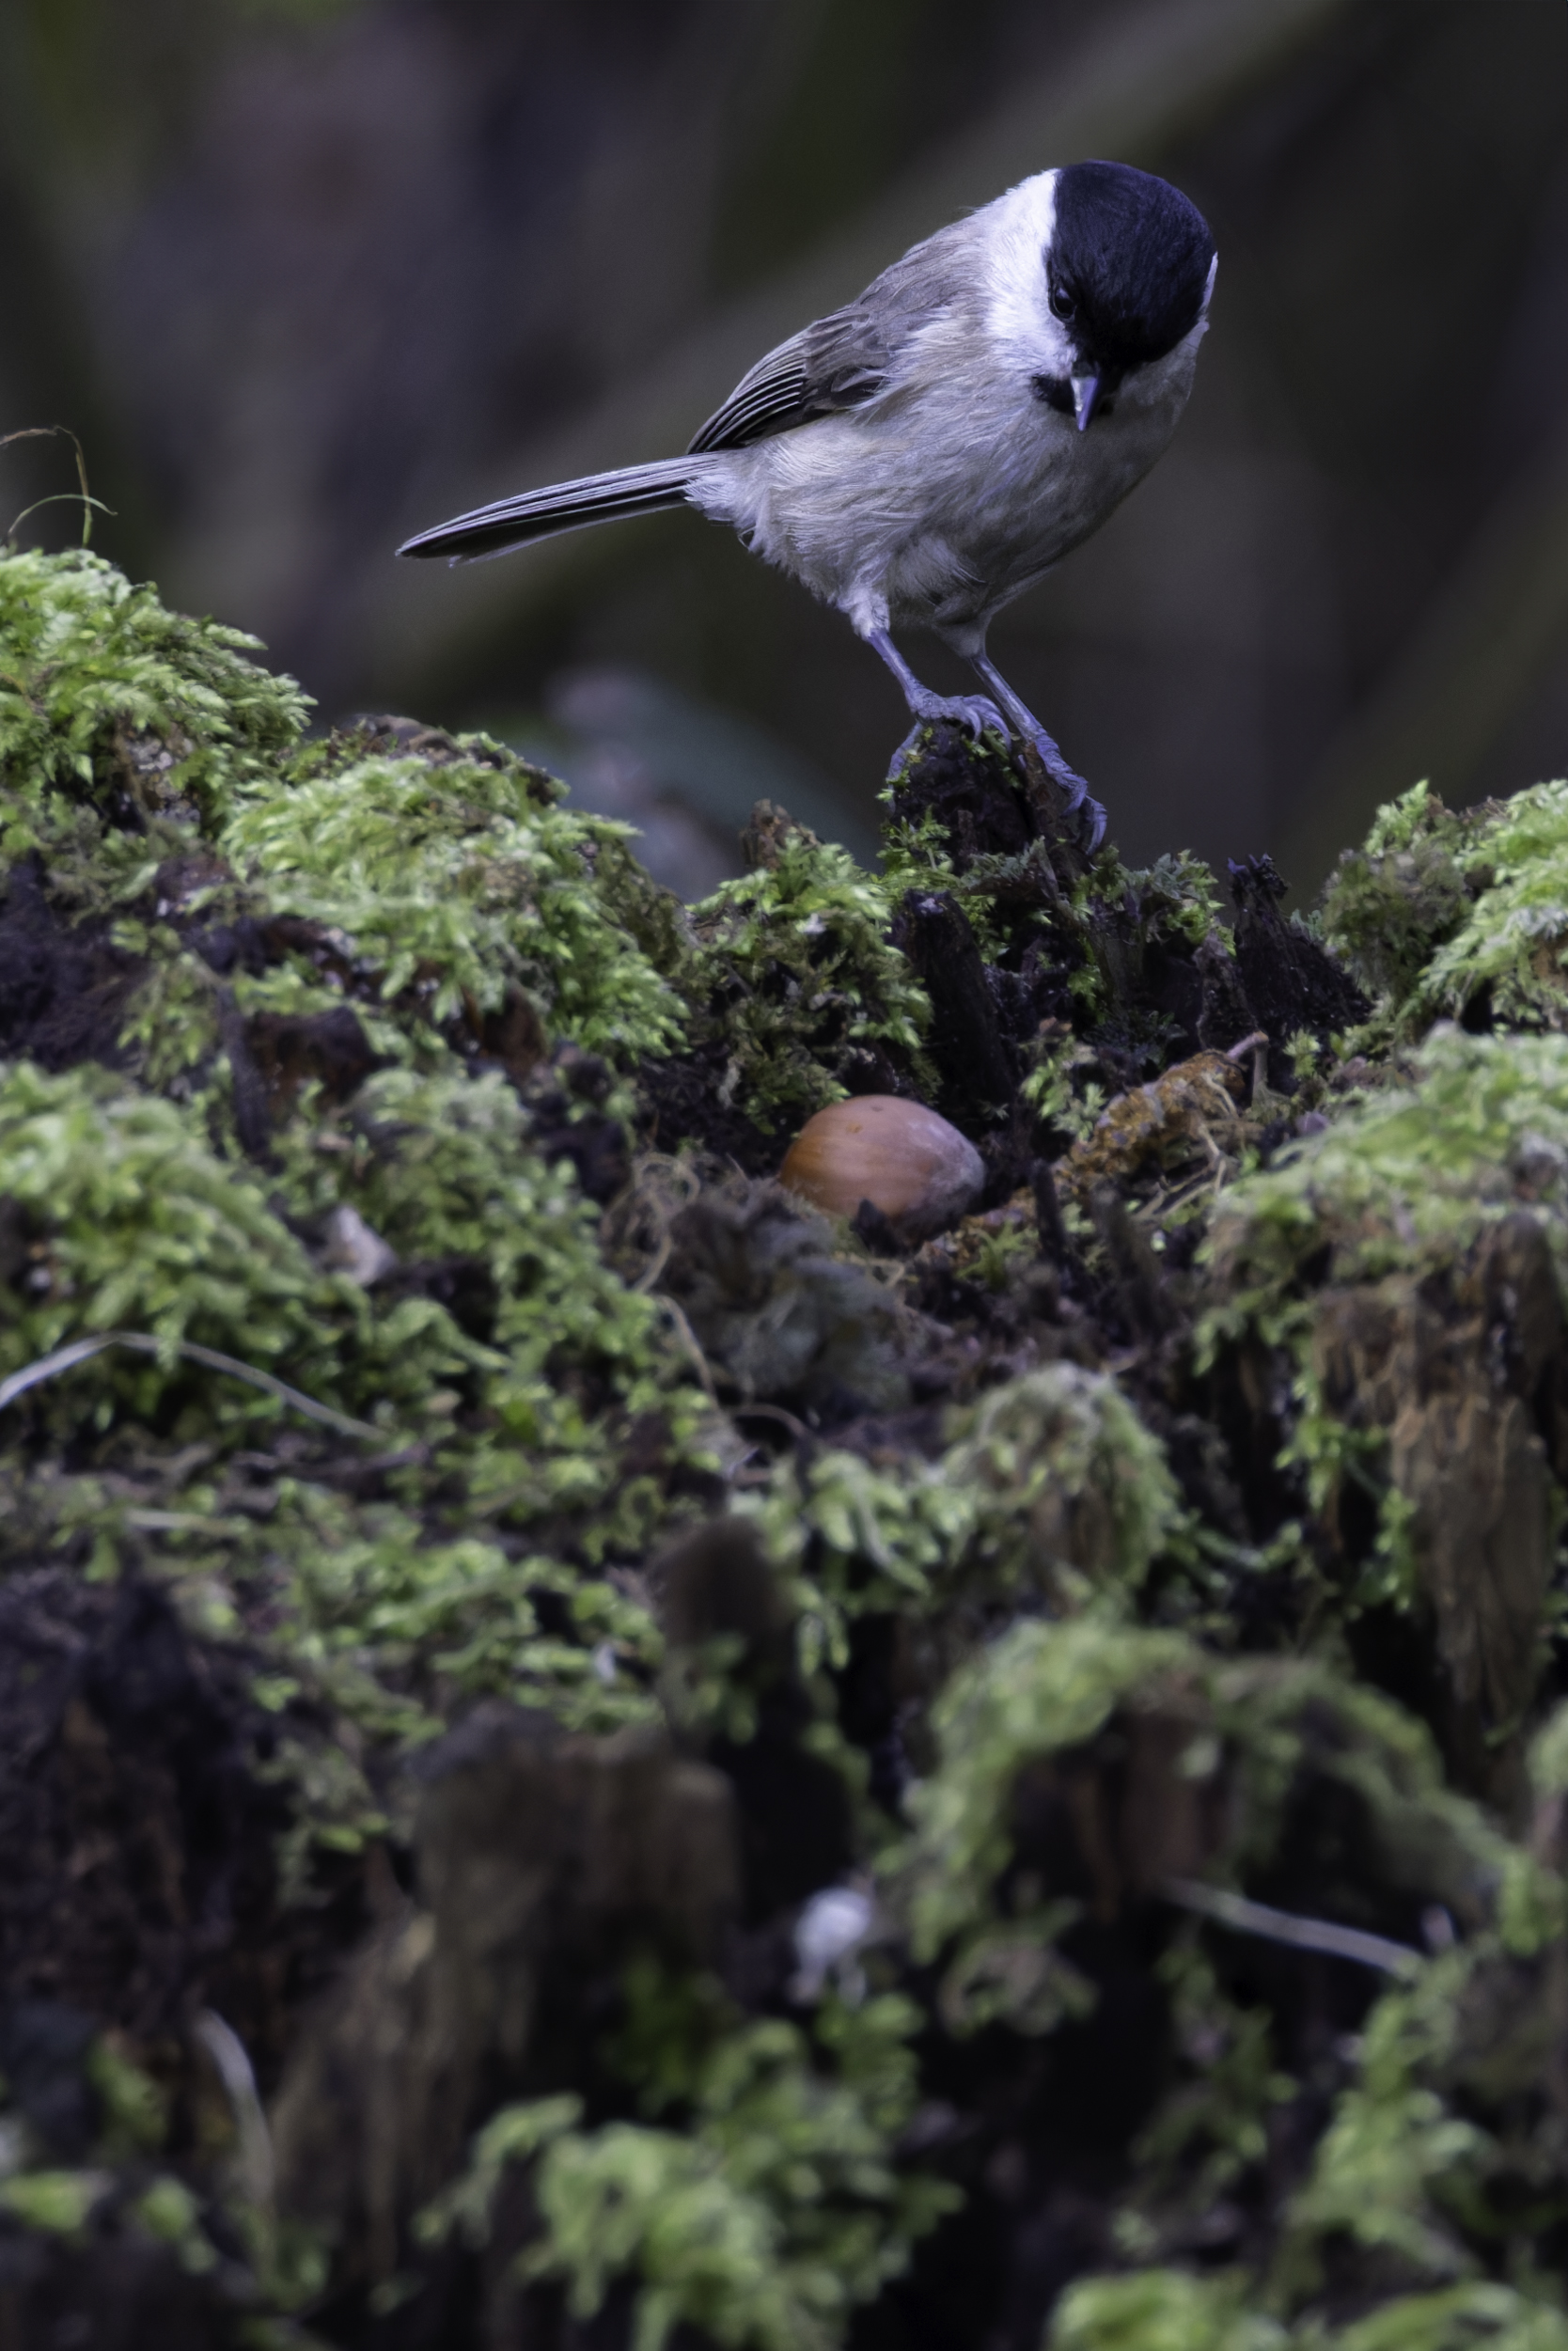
(311, 274)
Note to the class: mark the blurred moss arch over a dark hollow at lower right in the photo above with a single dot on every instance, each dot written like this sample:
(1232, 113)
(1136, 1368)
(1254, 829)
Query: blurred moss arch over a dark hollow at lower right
(1087, 1774)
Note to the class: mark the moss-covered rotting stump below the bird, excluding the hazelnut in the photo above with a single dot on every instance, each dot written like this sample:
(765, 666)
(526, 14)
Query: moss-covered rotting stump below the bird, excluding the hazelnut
(594, 1757)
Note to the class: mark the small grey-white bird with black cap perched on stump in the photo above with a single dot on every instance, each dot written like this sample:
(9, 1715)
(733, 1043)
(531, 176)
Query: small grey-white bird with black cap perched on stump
(934, 448)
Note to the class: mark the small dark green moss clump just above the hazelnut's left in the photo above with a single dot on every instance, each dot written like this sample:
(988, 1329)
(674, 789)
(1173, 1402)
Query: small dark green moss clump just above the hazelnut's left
(798, 986)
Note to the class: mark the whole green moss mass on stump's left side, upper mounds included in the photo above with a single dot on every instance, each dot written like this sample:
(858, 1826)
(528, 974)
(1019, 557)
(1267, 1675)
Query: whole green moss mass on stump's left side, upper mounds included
(394, 883)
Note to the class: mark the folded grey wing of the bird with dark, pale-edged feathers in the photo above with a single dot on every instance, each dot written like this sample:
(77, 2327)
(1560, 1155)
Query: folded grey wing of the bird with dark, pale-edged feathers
(845, 359)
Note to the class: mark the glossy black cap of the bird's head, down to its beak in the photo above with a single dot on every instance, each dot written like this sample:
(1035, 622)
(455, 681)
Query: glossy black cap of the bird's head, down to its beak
(1127, 272)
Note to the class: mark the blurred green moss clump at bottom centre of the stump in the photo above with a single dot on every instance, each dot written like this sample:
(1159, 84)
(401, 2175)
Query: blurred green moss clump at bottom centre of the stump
(768, 2218)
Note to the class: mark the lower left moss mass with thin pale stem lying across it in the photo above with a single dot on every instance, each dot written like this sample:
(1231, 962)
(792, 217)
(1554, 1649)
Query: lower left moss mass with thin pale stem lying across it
(123, 1219)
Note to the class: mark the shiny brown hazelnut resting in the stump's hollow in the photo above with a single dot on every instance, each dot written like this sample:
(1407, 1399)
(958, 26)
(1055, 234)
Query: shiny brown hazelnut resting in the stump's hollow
(899, 1156)
